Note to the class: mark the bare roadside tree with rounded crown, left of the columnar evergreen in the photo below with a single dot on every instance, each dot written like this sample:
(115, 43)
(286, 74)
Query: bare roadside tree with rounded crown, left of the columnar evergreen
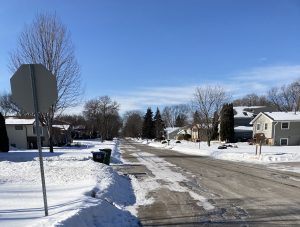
(207, 101)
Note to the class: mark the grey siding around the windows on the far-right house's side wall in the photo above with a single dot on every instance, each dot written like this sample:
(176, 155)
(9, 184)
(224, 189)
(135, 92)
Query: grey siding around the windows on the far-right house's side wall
(293, 133)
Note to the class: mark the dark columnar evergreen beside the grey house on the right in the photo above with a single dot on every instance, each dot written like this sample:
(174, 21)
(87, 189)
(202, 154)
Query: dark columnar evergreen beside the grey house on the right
(227, 123)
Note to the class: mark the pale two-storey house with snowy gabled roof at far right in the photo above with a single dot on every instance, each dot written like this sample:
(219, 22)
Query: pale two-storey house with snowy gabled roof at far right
(279, 128)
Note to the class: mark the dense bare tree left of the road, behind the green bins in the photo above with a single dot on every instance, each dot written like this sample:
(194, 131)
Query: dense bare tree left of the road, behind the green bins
(102, 113)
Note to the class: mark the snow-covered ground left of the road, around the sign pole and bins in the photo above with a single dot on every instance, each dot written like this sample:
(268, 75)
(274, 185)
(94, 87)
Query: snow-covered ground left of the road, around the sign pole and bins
(80, 192)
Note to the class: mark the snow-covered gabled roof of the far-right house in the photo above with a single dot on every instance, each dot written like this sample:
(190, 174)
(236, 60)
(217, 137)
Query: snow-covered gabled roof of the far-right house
(279, 116)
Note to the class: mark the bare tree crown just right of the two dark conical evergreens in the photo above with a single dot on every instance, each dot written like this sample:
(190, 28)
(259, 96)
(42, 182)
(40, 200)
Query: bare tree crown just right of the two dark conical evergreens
(171, 113)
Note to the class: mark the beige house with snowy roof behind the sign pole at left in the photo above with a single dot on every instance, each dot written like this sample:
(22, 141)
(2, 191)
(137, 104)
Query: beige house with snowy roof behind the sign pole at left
(22, 133)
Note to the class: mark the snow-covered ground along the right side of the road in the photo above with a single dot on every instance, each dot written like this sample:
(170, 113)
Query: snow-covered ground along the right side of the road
(242, 153)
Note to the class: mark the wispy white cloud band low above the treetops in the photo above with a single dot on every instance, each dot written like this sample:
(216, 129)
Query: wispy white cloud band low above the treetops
(256, 80)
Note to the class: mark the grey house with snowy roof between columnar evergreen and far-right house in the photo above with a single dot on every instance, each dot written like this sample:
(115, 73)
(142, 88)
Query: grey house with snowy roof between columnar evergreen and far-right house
(243, 115)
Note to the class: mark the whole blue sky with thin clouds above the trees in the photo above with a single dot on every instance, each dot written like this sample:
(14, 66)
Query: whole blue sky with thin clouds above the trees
(154, 53)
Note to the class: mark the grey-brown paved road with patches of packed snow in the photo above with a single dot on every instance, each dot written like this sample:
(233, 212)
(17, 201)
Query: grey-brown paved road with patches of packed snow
(241, 194)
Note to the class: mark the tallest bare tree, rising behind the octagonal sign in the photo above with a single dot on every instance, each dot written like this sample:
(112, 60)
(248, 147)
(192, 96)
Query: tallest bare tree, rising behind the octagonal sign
(47, 41)
